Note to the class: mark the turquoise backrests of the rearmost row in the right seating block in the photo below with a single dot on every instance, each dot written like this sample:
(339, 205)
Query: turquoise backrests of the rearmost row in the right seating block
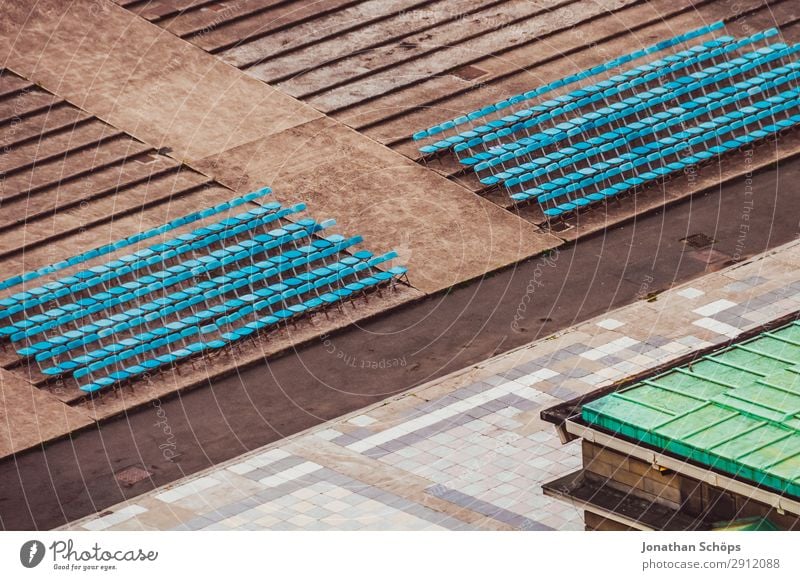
(567, 80)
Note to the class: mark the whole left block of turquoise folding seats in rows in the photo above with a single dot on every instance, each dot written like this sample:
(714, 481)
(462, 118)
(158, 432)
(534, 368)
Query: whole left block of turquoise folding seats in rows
(194, 293)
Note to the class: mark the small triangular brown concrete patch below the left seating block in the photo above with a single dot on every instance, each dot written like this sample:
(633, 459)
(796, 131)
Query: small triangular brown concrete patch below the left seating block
(29, 416)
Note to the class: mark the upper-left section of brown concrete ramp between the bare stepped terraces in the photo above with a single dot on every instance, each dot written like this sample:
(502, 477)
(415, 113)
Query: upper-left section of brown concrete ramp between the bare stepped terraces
(141, 79)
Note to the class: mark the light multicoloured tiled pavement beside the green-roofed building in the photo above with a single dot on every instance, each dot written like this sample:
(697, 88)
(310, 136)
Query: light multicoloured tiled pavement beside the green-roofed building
(467, 451)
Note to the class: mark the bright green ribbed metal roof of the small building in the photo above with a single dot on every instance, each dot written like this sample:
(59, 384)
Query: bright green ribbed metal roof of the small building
(736, 410)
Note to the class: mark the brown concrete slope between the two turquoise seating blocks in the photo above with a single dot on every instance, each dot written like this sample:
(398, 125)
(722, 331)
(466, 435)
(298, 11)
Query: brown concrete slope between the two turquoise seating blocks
(445, 234)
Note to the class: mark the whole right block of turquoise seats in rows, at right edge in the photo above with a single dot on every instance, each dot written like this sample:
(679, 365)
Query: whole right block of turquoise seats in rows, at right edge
(662, 116)
